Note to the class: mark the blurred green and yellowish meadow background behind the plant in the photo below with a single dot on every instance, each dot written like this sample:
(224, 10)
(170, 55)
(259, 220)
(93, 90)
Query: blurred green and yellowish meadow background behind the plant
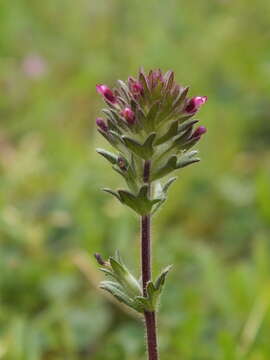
(215, 226)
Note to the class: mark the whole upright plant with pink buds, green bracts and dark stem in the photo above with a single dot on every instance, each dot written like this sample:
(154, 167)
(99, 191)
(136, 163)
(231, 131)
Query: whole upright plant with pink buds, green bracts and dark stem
(150, 123)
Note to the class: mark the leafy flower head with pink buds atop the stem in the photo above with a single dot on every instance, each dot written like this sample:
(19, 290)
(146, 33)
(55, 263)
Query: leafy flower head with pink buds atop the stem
(148, 119)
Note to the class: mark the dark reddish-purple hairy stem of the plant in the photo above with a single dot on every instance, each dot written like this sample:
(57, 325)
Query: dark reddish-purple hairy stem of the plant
(150, 317)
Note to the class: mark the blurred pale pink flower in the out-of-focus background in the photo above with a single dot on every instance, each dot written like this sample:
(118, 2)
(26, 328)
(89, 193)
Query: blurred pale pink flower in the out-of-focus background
(34, 66)
